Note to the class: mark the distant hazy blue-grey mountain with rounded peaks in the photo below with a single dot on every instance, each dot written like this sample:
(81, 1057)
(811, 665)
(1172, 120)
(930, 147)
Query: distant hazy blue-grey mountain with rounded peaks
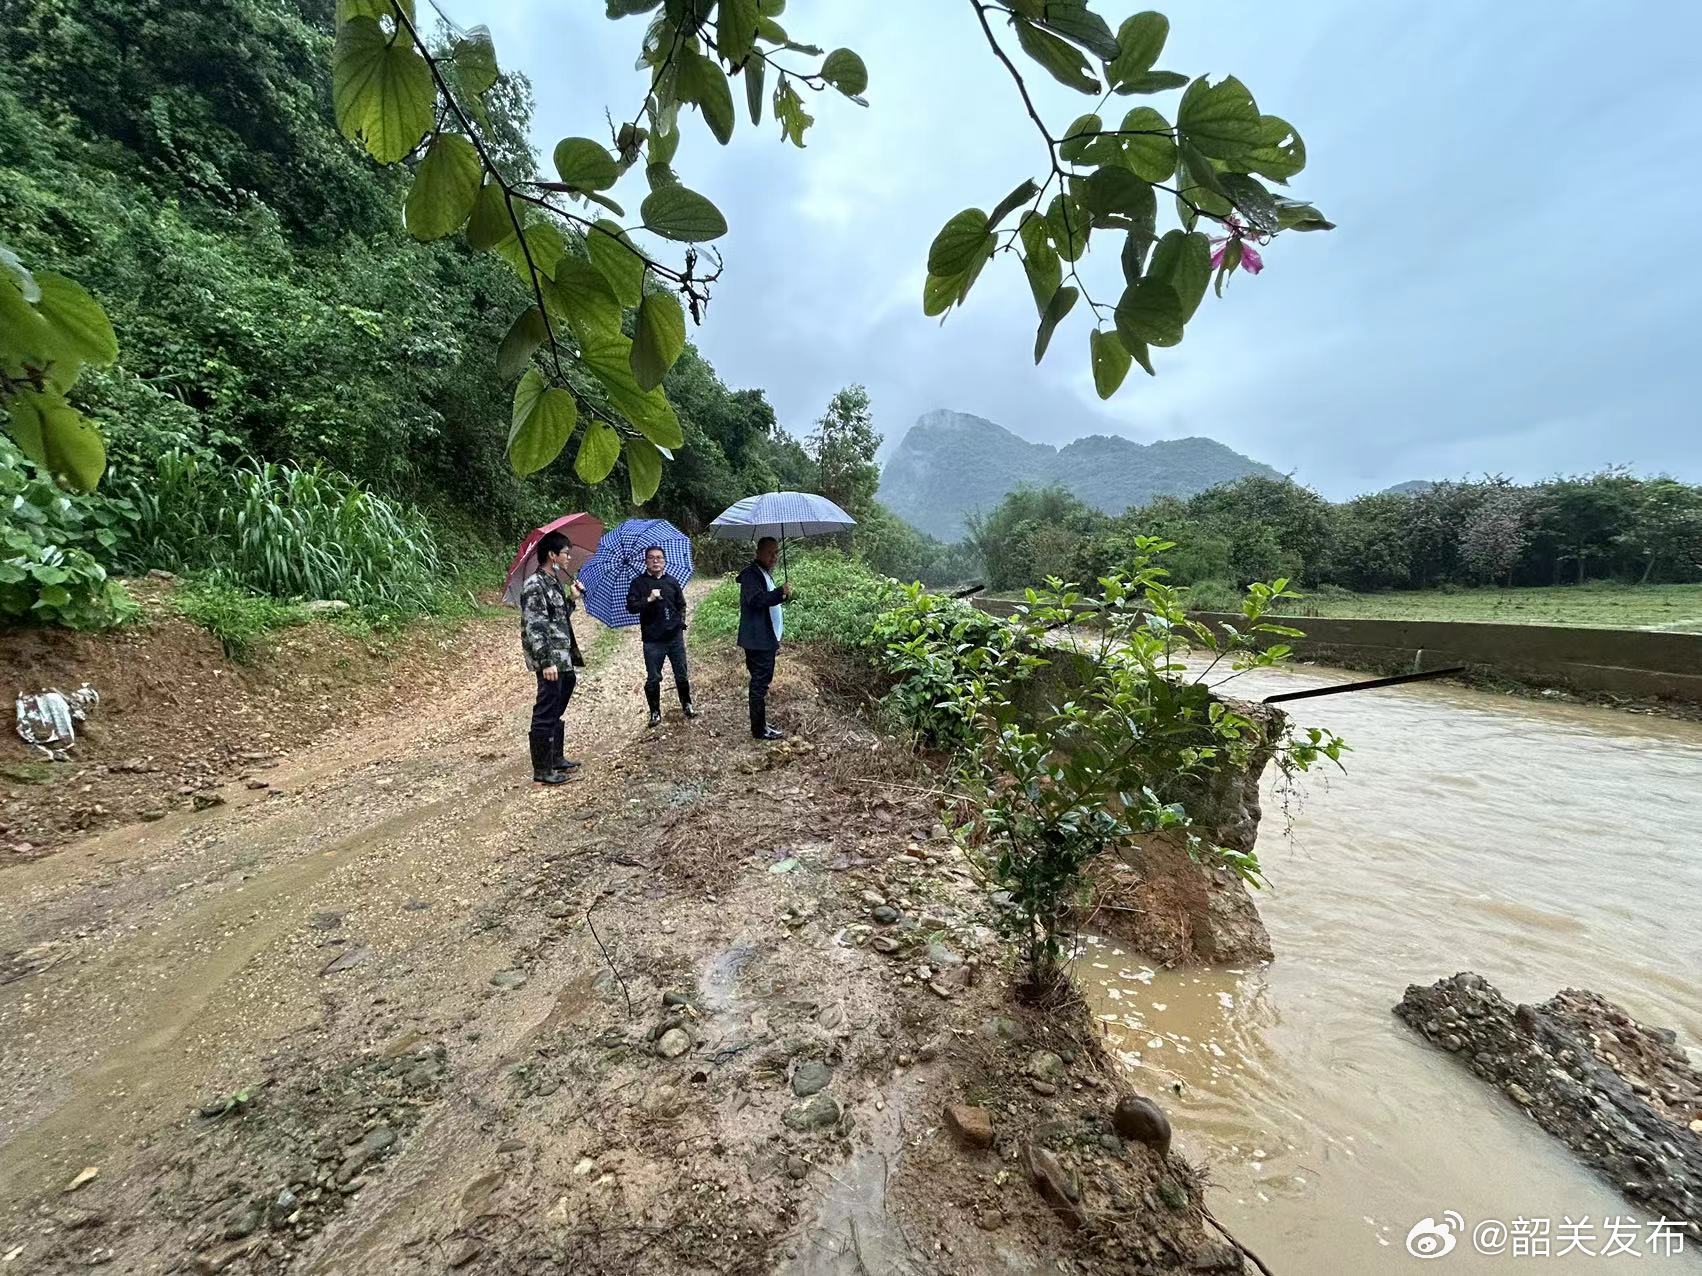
(951, 465)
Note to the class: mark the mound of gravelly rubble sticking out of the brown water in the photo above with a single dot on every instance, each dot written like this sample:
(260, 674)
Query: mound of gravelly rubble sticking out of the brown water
(1619, 1095)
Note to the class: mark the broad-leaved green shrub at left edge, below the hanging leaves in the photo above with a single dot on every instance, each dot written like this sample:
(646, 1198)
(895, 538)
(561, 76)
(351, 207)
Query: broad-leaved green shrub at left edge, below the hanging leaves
(52, 544)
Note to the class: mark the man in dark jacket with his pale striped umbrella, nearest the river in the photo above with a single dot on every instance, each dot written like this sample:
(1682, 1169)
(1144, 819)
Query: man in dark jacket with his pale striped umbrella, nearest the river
(770, 518)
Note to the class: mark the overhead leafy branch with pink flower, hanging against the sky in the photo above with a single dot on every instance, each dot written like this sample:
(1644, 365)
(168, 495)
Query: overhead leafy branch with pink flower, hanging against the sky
(1107, 176)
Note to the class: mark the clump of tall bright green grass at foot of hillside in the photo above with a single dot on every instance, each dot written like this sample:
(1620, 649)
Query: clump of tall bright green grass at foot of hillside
(285, 532)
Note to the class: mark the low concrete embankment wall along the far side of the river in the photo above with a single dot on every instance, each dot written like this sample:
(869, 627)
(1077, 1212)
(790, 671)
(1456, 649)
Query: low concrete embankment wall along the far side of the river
(1621, 663)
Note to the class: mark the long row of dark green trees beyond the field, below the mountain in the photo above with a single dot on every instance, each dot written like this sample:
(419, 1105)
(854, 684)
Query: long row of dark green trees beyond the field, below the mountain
(1606, 527)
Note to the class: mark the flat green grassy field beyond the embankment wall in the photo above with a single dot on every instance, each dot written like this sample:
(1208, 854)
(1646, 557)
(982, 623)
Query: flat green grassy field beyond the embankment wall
(1608, 607)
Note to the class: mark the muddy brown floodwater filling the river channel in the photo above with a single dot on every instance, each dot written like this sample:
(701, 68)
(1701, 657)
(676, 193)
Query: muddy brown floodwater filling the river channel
(1541, 845)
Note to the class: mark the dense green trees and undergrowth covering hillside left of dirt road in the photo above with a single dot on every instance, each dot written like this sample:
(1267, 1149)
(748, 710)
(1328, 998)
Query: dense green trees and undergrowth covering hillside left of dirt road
(307, 401)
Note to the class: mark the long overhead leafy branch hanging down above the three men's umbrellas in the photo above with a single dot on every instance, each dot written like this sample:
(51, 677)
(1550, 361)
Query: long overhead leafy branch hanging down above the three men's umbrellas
(608, 316)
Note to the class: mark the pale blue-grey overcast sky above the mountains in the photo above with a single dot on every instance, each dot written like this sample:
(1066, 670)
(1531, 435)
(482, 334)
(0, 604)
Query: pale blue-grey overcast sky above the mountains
(1514, 283)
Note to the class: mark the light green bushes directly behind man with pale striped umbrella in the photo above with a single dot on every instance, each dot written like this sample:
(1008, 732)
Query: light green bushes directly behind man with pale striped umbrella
(837, 601)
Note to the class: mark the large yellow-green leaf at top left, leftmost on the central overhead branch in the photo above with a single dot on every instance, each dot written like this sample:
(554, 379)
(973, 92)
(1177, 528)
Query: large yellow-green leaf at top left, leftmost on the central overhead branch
(382, 91)
